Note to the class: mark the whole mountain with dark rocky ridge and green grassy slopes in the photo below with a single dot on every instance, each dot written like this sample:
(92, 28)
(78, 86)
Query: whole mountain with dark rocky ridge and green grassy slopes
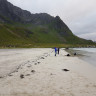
(20, 28)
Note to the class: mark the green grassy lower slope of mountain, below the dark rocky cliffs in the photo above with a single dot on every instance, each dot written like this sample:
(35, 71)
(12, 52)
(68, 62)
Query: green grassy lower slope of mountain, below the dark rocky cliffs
(35, 36)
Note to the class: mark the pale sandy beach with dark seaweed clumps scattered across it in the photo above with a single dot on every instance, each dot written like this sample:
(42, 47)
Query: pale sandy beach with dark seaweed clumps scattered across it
(37, 72)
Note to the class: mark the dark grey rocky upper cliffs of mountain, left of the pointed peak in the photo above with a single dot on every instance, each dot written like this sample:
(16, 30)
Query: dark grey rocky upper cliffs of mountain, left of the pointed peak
(18, 15)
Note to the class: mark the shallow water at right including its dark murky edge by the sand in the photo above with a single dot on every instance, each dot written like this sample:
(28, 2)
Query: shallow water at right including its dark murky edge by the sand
(89, 57)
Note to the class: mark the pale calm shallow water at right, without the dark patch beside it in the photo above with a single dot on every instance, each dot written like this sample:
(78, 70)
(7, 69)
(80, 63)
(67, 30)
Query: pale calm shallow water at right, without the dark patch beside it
(89, 54)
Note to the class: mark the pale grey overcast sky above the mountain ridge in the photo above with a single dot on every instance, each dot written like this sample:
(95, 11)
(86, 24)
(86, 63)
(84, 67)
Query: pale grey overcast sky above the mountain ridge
(79, 15)
